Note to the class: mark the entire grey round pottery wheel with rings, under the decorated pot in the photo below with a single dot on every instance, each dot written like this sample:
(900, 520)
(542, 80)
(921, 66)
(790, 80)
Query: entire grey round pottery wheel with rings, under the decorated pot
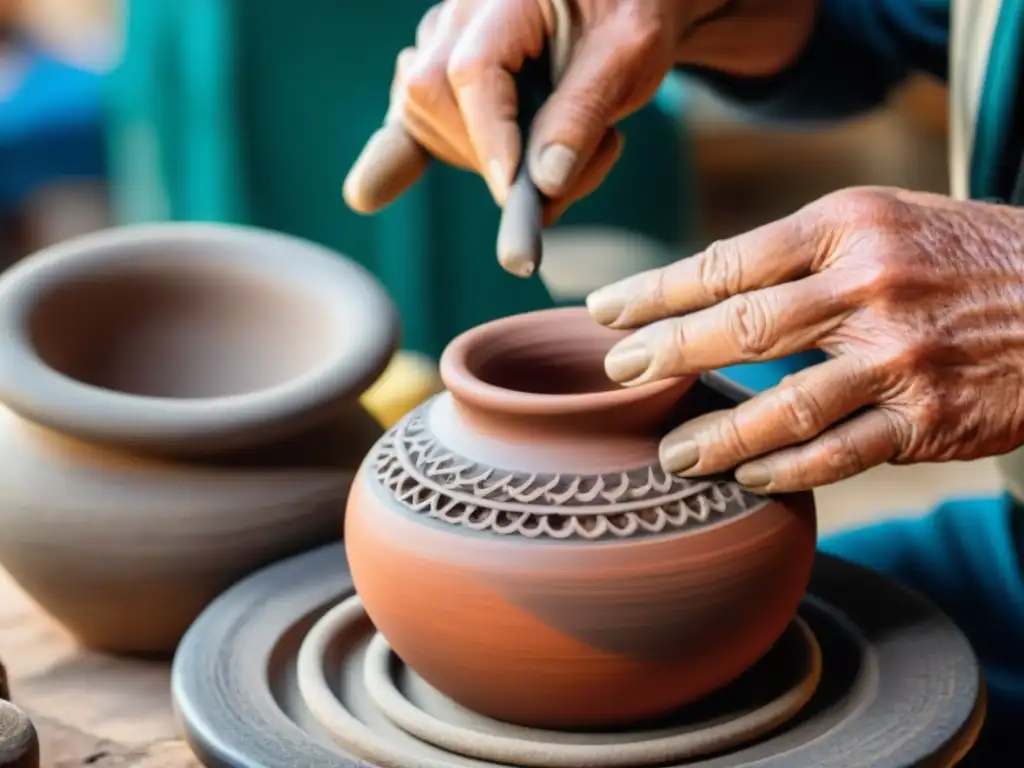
(285, 669)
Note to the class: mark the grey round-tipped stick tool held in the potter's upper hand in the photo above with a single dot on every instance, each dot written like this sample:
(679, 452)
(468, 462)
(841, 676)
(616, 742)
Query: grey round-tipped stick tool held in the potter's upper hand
(520, 243)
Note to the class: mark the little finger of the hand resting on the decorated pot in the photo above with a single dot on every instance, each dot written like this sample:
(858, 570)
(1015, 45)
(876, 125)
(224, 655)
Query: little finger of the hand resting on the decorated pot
(865, 442)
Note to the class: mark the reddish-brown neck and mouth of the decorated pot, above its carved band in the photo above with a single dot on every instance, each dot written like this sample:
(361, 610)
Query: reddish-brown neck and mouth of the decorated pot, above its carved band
(539, 378)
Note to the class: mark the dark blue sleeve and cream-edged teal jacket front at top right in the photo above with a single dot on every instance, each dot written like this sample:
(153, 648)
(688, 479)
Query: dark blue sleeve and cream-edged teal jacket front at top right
(862, 51)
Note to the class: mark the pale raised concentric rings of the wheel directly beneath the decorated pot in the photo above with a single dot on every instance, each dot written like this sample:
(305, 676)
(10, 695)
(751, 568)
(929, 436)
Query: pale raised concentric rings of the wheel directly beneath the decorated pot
(349, 678)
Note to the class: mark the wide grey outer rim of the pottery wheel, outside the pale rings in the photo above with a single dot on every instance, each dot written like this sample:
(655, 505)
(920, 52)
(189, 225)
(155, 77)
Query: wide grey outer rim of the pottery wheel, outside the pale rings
(919, 695)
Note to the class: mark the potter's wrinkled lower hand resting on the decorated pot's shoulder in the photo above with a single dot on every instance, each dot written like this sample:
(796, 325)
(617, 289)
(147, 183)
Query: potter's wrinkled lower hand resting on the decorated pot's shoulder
(918, 300)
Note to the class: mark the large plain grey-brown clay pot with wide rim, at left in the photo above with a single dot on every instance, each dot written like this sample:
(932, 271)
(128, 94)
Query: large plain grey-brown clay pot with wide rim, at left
(180, 409)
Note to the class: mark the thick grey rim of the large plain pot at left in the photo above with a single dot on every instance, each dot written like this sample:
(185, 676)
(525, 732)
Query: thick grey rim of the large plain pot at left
(37, 393)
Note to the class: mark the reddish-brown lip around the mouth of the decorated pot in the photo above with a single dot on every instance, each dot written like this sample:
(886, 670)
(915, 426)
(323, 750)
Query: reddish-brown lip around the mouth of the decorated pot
(466, 387)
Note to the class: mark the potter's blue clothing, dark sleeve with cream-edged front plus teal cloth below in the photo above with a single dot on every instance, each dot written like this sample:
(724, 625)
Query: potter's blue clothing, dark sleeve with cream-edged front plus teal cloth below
(967, 554)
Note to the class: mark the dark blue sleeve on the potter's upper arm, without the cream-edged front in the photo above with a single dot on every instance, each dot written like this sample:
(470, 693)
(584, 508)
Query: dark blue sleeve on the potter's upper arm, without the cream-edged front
(859, 53)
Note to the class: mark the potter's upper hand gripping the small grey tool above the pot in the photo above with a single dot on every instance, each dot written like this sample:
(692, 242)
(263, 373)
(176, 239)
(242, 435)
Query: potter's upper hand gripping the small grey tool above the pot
(455, 93)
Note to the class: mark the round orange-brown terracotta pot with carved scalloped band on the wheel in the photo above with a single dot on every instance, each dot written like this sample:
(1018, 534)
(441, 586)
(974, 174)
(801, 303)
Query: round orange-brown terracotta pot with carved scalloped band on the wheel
(518, 544)
